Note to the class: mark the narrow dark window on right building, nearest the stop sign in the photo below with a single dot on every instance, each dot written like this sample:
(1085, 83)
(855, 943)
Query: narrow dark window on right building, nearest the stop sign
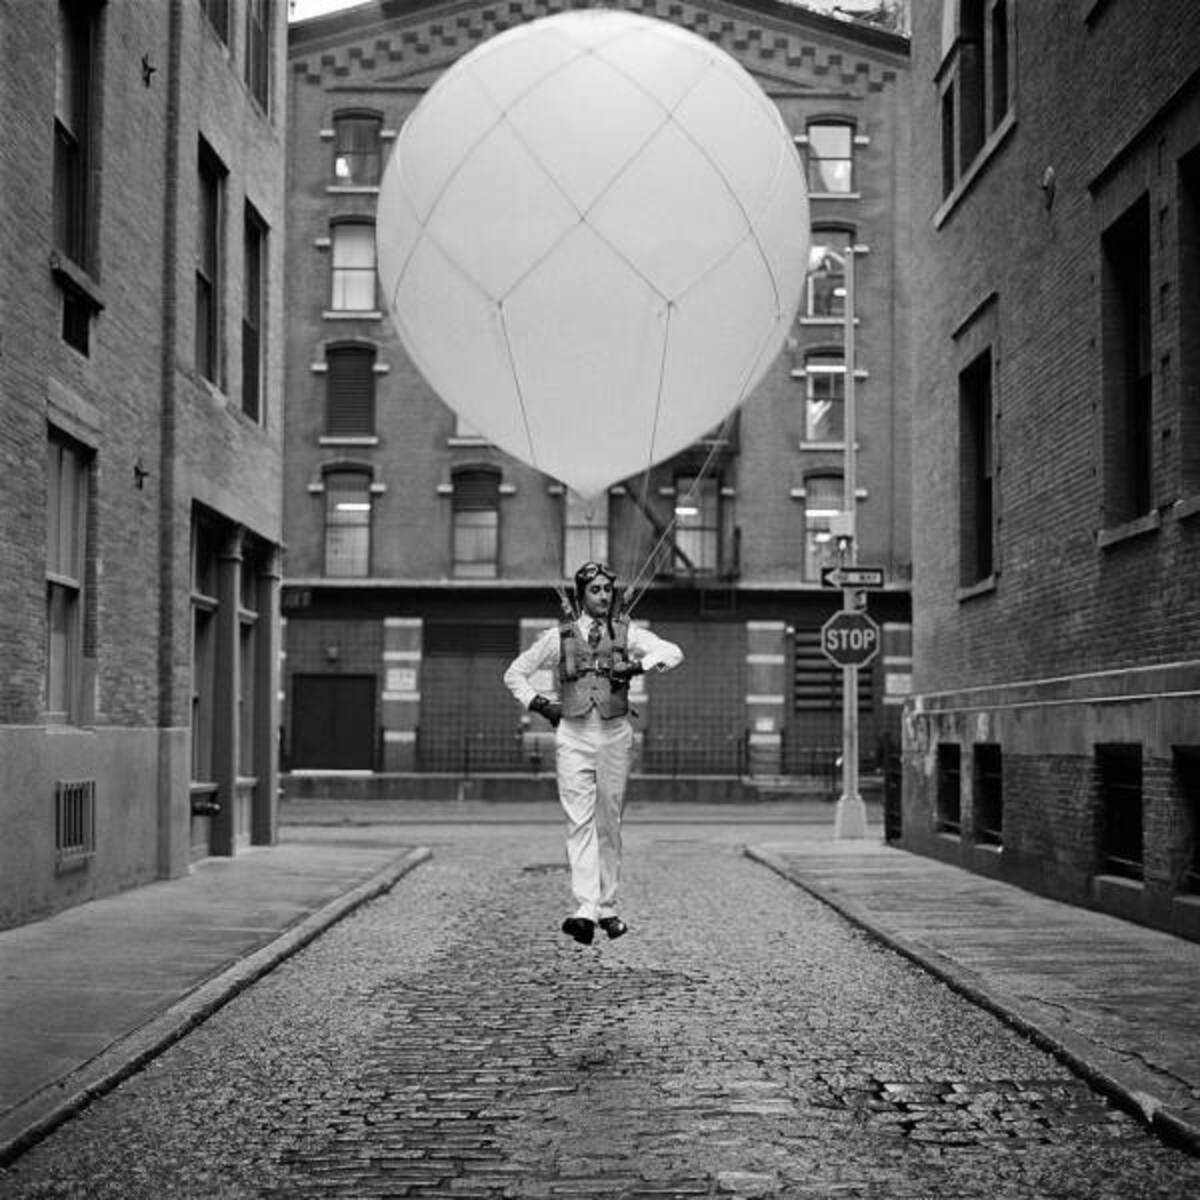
(976, 473)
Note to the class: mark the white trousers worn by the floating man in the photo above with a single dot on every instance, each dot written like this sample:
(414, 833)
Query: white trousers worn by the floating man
(593, 758)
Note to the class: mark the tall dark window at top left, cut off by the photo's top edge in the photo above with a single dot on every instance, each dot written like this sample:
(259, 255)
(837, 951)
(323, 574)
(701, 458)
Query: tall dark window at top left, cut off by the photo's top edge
(74, 143)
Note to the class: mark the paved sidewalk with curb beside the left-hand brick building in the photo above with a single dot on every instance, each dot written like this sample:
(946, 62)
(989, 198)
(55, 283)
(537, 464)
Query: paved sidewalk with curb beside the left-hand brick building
(88, 997)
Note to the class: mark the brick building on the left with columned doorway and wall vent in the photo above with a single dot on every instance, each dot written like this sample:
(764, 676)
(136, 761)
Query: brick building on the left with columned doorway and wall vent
(141, 439)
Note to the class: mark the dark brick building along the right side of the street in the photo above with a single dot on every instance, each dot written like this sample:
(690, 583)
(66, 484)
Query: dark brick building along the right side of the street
(1054, 733)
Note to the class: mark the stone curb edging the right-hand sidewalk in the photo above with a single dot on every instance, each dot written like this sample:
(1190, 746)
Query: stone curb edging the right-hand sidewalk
(1103, 1071)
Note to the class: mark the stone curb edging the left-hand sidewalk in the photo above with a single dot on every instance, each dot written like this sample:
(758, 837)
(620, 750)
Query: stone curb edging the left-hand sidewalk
(28, 1123)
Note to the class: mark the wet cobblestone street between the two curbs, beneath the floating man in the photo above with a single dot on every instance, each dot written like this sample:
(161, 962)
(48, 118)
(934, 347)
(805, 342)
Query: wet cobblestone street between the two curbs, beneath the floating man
(743, 1041)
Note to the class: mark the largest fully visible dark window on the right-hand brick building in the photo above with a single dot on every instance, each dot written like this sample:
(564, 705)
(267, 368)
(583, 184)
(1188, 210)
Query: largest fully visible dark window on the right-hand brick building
(1126, 359)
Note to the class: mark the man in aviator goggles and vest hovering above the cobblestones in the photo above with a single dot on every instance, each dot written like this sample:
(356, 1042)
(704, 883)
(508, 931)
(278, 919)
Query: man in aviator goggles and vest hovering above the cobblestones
(595, 656)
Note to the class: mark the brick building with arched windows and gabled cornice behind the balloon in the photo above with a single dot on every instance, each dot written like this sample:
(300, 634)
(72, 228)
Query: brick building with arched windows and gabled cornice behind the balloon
(421, 560)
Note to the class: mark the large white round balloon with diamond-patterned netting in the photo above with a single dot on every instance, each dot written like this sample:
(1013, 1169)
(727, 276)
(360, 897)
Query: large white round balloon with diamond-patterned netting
(592, 236)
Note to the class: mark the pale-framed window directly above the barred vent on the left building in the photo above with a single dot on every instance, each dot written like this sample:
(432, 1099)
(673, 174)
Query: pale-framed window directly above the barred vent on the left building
(68, 479)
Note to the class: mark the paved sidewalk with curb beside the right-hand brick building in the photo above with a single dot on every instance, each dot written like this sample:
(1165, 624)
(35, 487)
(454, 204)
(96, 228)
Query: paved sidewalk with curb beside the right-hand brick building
(1115, 1001)
